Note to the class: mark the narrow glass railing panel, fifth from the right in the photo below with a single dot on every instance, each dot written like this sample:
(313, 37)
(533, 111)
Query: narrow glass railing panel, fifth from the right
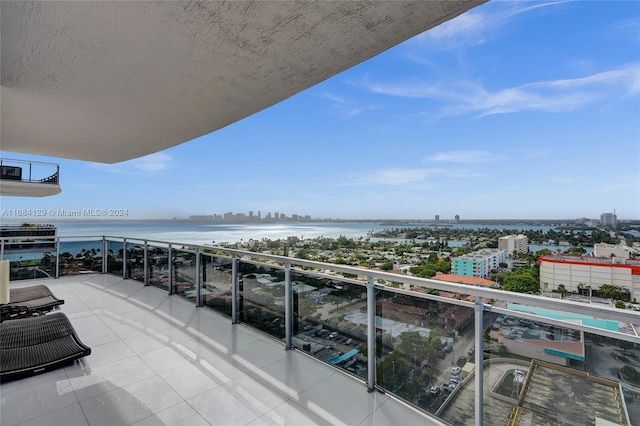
(217, 280)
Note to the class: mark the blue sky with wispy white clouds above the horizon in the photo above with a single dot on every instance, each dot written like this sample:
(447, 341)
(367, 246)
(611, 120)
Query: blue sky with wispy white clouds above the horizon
(513, 110)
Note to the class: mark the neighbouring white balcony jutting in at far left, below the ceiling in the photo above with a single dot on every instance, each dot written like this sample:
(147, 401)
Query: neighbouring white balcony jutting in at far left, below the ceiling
(28, 178)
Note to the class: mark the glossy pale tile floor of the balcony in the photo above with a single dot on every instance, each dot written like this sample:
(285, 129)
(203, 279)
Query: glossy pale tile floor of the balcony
(157, 360)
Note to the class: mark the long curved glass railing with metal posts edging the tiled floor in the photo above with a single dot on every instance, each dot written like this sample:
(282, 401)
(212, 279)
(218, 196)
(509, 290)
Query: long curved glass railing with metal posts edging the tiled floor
(467, 355)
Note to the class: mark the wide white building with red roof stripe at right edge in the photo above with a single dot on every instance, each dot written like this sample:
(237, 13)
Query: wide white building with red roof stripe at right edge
(578, 272)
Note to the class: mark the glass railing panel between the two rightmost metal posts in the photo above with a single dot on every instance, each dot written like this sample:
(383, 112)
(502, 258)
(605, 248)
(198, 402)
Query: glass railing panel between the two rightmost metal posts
(424, 353)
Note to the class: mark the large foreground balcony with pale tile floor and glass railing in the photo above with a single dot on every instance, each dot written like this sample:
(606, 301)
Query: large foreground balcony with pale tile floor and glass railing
(197, 334)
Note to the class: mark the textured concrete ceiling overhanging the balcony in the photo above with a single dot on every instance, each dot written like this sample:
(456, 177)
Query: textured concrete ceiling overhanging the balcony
(109, 81)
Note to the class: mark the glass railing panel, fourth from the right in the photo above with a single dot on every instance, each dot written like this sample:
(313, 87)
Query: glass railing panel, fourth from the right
(261, 303)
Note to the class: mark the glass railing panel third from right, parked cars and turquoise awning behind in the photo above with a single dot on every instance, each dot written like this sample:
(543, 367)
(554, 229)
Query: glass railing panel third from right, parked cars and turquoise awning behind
(330, 321)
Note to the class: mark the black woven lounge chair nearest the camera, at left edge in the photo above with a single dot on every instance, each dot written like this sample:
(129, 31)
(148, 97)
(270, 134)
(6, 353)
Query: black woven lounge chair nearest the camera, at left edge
(34, 345)
